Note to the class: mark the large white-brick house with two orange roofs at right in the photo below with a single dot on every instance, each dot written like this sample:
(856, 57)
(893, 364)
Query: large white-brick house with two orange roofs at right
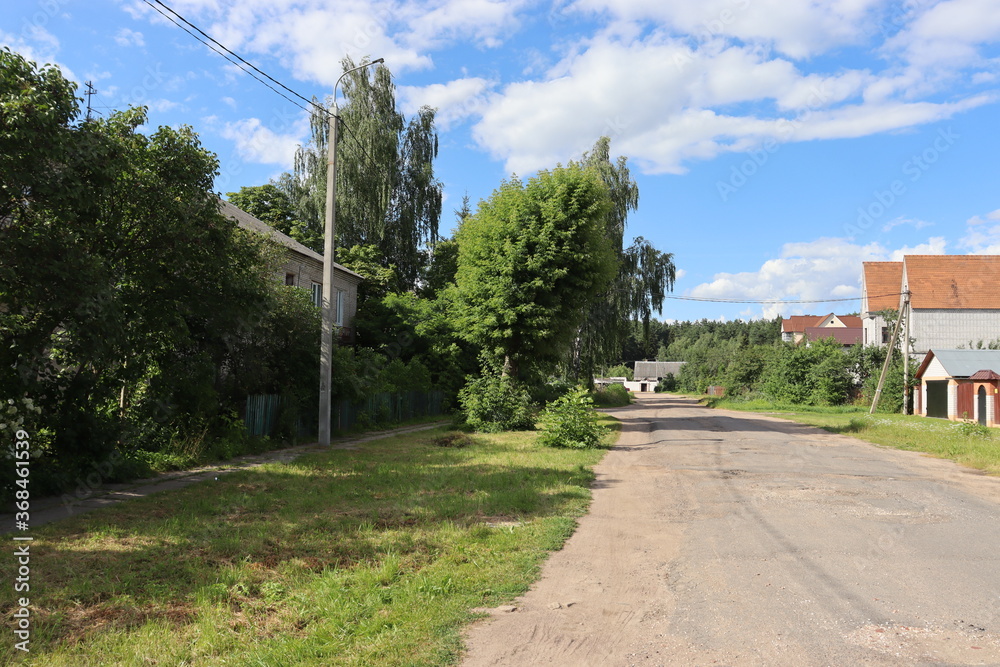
(954, 300)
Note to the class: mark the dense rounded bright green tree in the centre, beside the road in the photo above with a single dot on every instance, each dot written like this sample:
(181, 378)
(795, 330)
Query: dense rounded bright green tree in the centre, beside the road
(530, 261)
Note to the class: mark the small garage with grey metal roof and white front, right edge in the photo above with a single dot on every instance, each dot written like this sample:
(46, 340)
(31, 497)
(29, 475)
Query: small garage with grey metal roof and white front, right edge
(959, 384)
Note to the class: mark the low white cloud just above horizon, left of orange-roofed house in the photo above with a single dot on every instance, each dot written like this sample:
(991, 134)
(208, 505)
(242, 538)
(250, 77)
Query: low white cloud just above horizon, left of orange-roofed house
(827, 268)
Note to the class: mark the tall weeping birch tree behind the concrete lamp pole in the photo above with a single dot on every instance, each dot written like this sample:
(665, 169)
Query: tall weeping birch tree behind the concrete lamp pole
(387, 194)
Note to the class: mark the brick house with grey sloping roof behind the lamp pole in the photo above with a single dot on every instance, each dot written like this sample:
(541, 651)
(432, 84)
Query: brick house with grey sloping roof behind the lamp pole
(303, 267)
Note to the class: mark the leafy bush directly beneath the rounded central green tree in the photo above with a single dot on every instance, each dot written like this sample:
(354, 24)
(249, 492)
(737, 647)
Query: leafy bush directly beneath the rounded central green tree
(494, 404)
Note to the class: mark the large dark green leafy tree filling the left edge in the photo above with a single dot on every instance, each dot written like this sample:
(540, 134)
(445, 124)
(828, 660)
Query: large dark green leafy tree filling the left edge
(123, 290)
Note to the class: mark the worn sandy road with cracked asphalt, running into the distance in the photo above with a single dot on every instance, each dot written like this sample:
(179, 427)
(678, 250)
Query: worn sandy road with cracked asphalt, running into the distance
(724, 538)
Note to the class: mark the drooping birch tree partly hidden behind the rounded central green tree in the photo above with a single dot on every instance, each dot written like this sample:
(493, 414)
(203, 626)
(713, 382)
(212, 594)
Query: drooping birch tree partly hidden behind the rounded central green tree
(644, 275)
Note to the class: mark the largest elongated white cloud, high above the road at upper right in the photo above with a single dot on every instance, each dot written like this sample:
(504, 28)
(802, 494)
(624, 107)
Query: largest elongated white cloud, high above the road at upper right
(666, 104)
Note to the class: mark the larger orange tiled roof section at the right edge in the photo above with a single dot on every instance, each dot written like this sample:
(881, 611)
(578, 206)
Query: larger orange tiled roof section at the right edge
(953, 281)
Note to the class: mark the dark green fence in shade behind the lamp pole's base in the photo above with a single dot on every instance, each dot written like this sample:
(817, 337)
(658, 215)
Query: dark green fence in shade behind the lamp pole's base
(262, 411)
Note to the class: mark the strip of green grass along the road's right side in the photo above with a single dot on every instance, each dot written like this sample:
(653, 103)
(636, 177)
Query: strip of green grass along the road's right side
(965, 443)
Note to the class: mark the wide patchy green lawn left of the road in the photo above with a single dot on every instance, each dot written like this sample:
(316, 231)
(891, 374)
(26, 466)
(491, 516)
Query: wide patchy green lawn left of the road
(375, 556)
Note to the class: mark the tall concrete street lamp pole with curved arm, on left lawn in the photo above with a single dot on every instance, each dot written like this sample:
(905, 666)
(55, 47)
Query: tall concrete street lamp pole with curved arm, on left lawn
(326, 338)
